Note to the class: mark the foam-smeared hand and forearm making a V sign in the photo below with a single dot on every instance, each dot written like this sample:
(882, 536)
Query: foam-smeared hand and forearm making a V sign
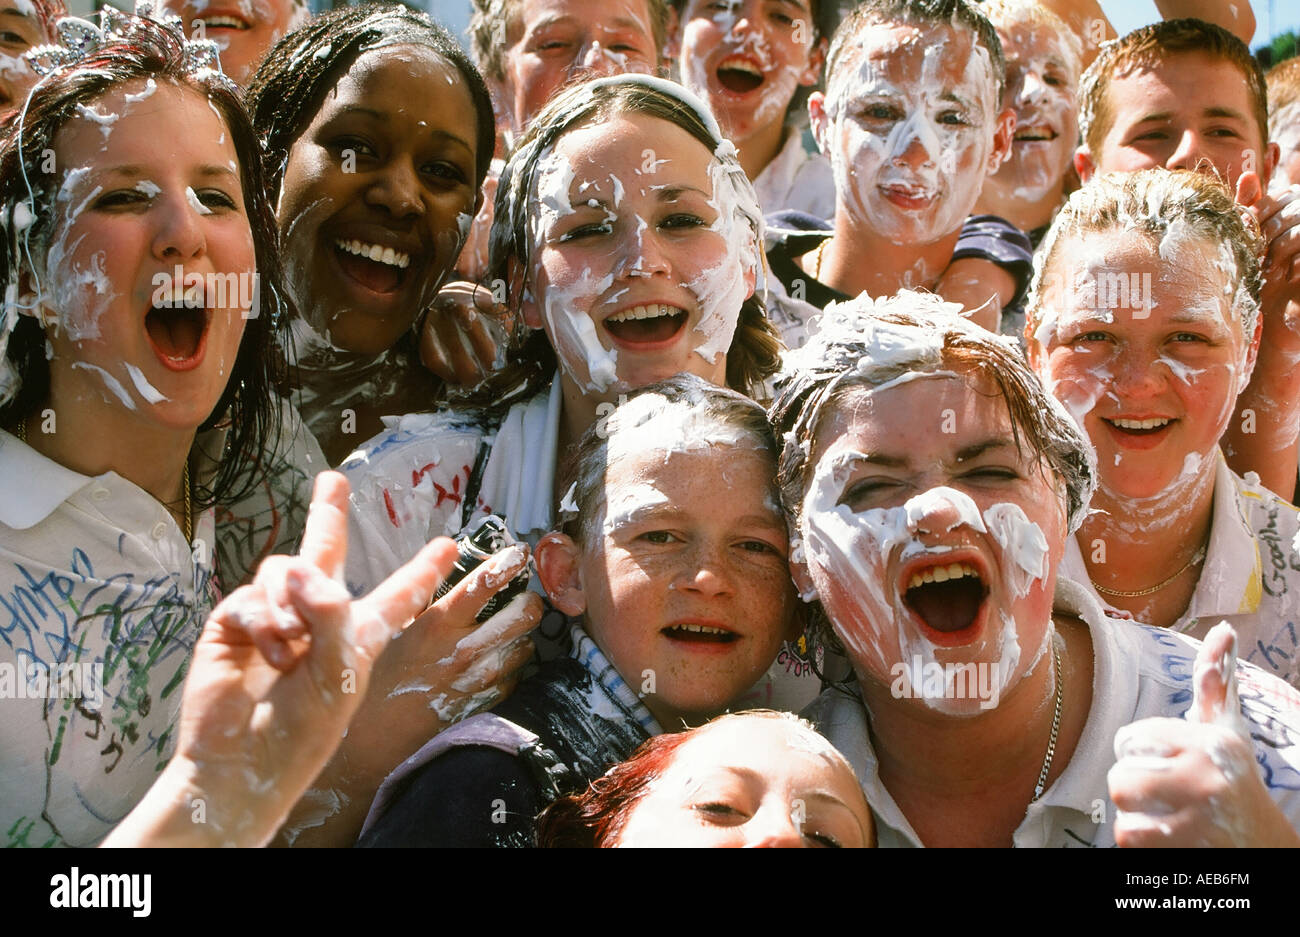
(280, 670)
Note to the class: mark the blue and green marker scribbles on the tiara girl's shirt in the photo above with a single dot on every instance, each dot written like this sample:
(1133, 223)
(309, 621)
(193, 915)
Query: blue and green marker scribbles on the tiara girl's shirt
(140, 630)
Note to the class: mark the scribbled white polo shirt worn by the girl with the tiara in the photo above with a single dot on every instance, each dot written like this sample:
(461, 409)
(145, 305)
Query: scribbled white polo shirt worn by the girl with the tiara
(93, 572)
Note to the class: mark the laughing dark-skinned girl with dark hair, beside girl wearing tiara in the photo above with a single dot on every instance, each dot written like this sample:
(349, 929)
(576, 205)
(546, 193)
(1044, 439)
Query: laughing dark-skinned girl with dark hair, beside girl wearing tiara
(379, 135)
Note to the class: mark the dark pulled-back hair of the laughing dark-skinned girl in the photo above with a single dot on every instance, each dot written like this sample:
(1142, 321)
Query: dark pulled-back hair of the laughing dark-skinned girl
(291, 86)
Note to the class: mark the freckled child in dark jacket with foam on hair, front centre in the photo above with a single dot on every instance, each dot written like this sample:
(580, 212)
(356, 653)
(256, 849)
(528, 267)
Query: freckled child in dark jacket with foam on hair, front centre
(681, 601)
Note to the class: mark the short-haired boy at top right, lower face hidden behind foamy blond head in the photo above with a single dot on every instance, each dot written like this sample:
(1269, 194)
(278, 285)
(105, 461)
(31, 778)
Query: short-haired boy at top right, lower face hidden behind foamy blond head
(1185, 94)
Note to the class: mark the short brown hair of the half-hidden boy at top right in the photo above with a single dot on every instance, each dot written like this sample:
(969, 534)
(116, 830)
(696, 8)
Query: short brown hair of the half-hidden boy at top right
(1147, 47)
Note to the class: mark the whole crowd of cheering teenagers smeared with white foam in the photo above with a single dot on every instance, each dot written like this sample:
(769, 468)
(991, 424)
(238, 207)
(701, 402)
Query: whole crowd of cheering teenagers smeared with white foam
(671, 423)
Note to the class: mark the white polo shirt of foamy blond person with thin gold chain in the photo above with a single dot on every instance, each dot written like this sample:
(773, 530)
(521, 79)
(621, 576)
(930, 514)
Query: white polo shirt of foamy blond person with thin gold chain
(1251, 578)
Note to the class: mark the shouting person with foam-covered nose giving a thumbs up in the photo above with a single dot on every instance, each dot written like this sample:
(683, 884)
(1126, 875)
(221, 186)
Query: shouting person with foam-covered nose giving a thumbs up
(934, 485)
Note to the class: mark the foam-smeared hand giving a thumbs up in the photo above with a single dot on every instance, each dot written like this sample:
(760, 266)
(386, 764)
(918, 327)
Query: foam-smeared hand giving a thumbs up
(1194, 782)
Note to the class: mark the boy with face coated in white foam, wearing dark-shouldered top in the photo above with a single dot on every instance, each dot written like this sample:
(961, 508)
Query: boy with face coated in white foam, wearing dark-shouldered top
(912, 124)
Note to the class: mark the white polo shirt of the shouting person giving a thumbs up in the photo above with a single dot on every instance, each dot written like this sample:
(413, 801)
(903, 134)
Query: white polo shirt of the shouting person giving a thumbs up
(1138, 673)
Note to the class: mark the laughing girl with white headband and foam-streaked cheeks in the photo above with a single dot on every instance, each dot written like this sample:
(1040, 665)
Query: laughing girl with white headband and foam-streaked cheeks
(629, 268)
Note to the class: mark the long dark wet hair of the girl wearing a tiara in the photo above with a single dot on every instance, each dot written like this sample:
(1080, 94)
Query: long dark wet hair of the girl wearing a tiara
(148, 50)
